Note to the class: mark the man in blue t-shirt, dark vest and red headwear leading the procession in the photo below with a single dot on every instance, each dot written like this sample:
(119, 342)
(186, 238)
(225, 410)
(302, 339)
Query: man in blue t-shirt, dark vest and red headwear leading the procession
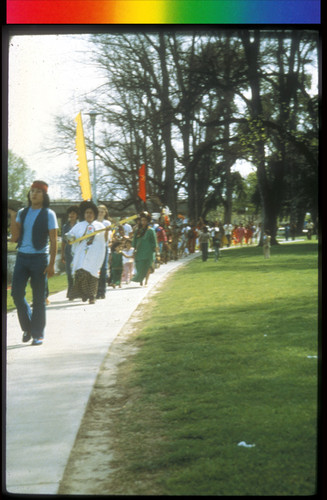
(31, 228)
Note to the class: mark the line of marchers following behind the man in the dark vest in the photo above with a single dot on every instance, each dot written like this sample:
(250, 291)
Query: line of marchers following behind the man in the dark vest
(99, 253)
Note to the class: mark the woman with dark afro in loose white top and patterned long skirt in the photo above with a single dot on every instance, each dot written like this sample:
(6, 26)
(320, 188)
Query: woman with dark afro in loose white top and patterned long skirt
(88, 254)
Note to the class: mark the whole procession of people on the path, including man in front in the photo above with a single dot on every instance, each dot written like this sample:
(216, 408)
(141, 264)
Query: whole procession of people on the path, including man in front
(99, 253)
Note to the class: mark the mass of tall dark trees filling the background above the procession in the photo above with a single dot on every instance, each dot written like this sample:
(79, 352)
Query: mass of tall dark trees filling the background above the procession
(191, 104)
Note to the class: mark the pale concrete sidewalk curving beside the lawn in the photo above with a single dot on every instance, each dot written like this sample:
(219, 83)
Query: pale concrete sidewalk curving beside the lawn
(48, 386)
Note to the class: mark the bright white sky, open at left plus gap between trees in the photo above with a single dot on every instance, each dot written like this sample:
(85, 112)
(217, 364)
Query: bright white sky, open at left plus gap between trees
(48, 76)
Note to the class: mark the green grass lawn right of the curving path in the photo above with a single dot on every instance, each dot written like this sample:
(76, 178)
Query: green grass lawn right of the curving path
(218, 357)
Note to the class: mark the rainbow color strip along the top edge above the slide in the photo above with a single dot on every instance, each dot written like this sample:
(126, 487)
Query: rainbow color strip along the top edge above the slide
(163, 11)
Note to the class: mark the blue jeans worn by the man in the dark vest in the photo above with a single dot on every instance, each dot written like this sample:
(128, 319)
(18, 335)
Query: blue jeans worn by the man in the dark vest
(30, 266)
